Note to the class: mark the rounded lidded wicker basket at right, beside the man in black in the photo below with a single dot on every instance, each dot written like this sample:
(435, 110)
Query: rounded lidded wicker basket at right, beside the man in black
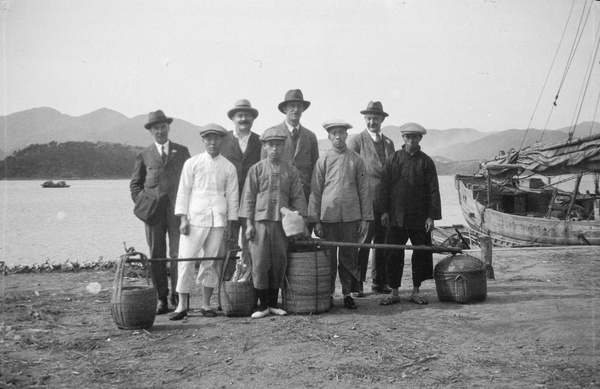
(460, 278)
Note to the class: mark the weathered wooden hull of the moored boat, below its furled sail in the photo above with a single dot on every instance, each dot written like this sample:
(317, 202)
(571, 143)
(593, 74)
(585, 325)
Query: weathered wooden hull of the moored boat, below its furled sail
(515, 216)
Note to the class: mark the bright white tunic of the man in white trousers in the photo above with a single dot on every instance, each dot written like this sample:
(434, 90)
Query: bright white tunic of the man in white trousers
(208, 191)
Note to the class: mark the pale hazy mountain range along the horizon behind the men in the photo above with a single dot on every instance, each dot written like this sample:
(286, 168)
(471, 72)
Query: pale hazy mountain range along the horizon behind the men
(43, 125)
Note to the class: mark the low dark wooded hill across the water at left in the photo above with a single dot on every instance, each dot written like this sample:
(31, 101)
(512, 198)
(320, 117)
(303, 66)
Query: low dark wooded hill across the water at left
(70, 160)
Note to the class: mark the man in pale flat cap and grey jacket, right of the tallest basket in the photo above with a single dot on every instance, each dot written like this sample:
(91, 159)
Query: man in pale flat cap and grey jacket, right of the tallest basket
(340, 205)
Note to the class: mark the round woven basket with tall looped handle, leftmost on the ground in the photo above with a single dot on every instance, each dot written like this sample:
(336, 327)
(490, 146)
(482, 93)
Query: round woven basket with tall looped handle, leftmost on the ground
(132, 306)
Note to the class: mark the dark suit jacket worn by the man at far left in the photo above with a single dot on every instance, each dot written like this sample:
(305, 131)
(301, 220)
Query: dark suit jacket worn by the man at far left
(160, 179)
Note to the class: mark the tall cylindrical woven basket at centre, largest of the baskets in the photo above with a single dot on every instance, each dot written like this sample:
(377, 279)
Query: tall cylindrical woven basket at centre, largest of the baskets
(307, 287)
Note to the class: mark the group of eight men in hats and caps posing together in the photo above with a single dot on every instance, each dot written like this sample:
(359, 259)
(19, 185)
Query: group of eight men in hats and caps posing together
(361, 190)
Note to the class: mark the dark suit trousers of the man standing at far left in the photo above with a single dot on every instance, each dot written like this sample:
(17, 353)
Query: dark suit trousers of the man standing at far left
(164, 223)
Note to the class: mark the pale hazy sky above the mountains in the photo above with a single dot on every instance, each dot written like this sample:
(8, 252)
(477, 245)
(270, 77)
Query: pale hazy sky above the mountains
(444, 64)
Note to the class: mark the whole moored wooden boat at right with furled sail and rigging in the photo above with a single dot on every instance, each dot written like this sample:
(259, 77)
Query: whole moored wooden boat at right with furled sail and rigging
(511, 198)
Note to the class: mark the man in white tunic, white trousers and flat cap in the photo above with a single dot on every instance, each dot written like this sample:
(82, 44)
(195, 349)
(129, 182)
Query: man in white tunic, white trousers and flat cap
(207, 203)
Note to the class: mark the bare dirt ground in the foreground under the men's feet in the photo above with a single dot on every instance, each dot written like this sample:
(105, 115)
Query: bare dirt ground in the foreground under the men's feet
(538, 328)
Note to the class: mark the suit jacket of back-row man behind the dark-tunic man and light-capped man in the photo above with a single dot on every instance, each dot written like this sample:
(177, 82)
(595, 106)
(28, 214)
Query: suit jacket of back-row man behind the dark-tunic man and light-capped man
(364, 145)
